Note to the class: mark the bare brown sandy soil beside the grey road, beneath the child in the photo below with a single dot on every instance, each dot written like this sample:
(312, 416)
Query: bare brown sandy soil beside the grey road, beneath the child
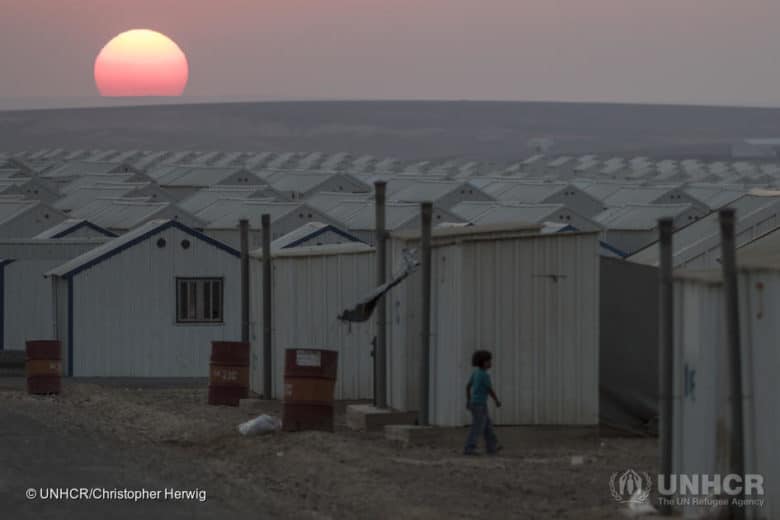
(346, 474)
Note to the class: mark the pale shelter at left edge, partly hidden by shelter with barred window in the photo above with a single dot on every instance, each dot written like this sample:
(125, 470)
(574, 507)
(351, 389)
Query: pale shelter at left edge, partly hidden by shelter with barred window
(26, 309)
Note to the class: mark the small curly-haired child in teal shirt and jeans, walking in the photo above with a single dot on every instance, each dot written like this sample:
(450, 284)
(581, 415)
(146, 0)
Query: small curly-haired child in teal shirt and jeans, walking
(478, 389)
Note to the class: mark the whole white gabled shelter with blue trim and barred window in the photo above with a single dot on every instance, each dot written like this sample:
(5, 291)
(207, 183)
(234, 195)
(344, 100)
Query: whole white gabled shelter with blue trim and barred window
(147, 304)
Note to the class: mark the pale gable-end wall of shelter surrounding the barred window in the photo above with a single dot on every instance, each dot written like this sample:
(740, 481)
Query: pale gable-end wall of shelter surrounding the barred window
(124, 310)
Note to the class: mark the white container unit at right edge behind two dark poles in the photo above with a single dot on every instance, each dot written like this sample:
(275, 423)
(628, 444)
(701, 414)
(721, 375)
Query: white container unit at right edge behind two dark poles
(702, 428)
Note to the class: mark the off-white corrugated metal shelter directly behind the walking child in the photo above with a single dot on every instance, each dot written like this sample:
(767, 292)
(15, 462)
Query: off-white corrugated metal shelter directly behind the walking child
(531, 299)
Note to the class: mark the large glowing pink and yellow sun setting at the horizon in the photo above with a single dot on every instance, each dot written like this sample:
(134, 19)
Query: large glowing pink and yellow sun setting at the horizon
(141, 62)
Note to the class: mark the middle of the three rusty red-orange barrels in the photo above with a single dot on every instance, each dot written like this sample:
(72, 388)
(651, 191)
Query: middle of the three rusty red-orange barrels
(228, 372)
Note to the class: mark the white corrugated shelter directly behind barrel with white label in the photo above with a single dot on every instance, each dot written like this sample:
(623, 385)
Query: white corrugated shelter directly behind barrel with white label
(311, 287)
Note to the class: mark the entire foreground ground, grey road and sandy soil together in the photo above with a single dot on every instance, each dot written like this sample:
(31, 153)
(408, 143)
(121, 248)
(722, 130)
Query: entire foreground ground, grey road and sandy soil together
(128, 434)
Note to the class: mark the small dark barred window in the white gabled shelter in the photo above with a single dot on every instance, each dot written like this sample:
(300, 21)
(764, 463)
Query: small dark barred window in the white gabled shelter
(199, 300)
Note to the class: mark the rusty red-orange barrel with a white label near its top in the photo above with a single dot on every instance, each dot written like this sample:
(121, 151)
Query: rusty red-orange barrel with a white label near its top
(309, 382)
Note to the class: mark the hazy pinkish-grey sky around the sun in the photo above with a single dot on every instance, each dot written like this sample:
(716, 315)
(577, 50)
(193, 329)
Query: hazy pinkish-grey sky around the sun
(677, 51)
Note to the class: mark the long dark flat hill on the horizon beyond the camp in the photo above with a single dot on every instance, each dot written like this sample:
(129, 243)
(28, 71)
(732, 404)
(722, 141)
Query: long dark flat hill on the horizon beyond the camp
(486, 131)
